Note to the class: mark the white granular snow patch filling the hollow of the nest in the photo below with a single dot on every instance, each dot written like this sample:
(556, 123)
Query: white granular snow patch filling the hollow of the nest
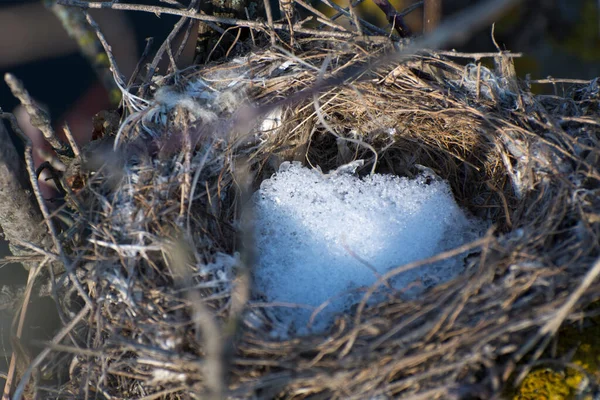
(324, 237)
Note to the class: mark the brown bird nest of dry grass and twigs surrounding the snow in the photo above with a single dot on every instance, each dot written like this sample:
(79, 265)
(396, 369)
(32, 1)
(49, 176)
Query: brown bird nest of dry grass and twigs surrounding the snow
(163, 254)
